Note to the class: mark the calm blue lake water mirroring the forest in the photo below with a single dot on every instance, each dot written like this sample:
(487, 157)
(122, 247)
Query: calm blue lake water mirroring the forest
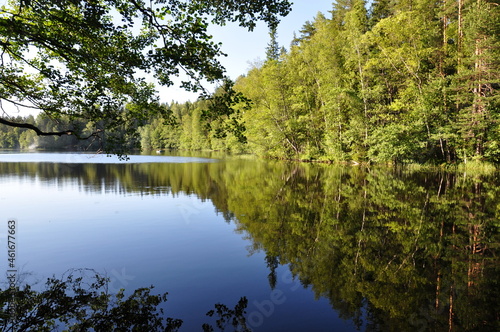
(312, 247)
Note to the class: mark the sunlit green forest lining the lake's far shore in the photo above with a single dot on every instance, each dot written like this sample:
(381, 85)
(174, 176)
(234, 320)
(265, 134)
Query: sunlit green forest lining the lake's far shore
(407, 81)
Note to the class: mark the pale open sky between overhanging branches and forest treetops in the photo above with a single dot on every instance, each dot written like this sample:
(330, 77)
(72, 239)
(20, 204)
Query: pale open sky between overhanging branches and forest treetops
(243, 47)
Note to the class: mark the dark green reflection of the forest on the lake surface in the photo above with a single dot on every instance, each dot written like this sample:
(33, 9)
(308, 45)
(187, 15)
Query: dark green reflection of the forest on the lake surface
(404, 250)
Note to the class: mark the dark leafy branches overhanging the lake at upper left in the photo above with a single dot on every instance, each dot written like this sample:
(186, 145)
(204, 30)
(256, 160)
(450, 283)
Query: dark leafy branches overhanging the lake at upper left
(87, 59)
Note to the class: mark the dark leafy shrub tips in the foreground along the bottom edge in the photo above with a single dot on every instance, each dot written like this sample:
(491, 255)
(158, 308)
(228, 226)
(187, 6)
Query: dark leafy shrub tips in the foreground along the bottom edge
(80, 300)
